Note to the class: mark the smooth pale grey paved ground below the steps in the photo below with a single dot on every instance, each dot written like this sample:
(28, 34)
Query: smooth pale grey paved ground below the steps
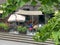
(3, 42)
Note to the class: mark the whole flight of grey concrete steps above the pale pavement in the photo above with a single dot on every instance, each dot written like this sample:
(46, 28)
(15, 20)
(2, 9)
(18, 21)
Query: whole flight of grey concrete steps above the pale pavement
(22, 38)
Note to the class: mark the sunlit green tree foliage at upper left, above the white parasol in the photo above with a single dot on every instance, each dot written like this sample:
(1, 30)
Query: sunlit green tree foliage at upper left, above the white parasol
(12, 5)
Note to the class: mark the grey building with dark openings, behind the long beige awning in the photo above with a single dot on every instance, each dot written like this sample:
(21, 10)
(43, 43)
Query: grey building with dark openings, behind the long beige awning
(40, 19)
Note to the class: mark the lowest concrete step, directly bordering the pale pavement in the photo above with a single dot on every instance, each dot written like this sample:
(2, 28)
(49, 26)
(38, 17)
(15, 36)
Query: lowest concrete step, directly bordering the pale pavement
(24, 41)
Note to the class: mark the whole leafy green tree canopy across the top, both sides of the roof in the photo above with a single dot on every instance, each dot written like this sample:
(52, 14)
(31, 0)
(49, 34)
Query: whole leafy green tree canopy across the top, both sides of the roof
(47, 6)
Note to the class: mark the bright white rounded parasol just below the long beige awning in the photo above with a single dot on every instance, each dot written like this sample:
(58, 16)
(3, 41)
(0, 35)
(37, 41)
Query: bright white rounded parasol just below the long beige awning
(17, 18)
